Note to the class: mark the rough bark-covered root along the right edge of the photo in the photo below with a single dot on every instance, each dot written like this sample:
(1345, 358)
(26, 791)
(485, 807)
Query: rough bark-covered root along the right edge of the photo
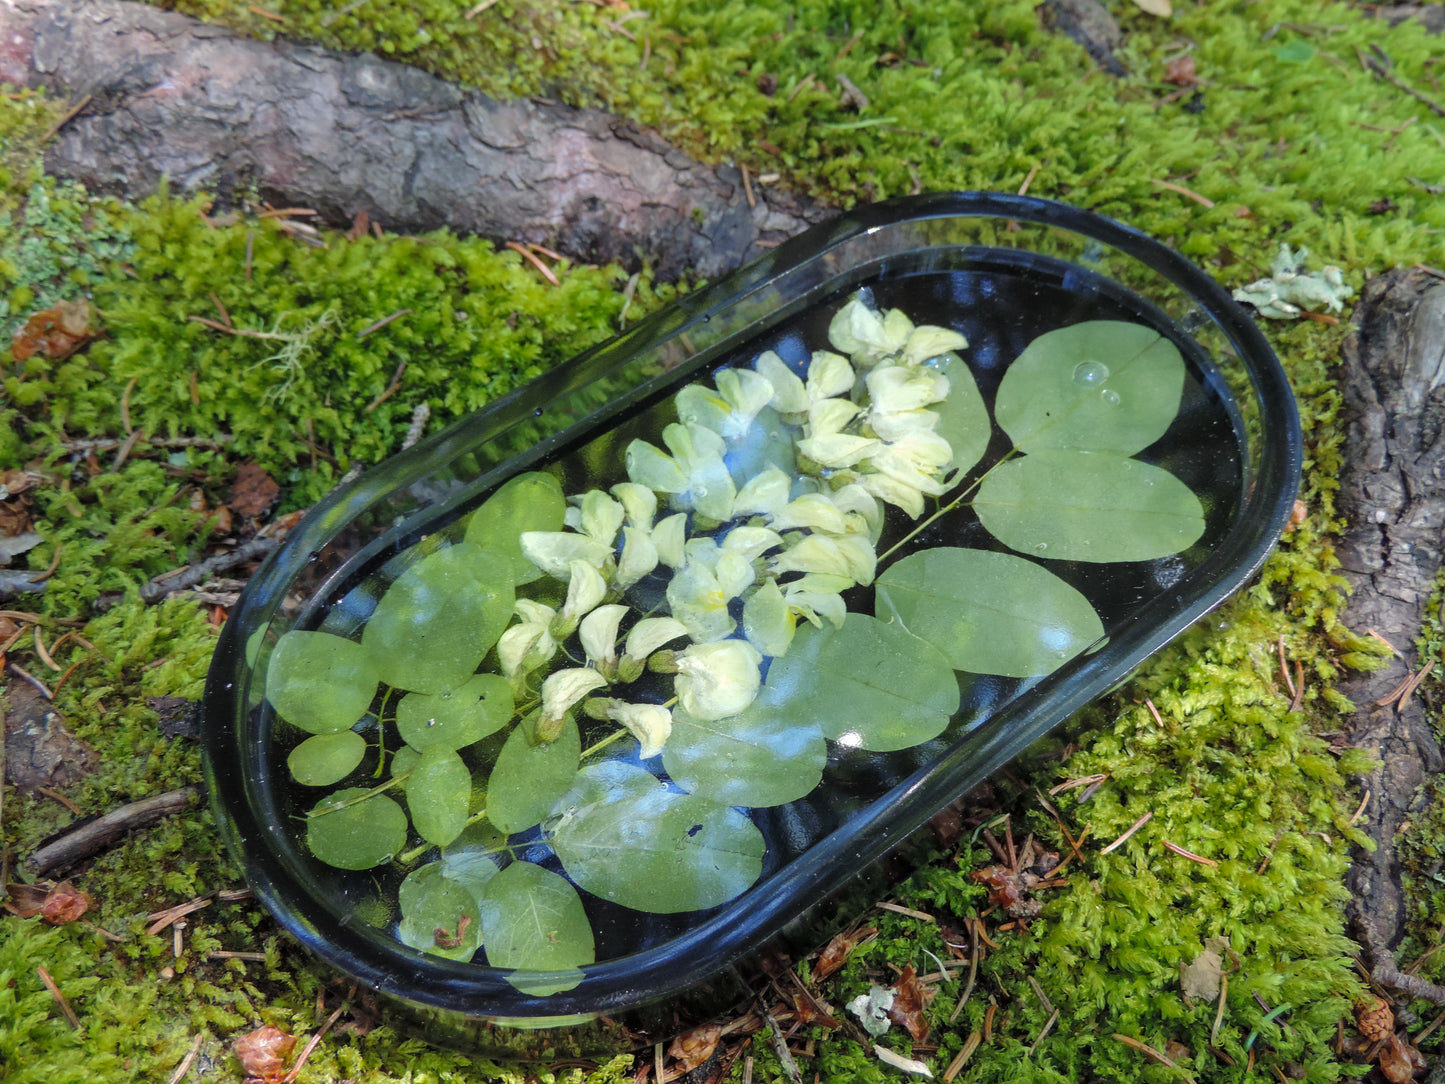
(1394, 499)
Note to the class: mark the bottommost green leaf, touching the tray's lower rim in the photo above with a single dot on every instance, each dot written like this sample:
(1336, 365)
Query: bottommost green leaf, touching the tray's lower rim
(532, 920)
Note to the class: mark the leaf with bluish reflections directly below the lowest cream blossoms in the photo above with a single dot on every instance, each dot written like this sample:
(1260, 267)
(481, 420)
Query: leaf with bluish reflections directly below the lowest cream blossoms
(759, 758)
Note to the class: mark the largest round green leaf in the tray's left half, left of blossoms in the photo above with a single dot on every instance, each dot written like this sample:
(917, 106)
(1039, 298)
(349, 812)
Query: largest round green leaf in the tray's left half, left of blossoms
(439, 621)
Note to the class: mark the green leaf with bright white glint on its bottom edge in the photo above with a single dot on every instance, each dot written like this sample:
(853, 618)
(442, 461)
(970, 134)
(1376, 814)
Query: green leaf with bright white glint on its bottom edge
(868, 686)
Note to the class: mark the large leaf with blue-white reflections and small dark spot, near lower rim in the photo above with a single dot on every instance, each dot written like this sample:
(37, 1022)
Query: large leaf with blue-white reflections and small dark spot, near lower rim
(631, 840)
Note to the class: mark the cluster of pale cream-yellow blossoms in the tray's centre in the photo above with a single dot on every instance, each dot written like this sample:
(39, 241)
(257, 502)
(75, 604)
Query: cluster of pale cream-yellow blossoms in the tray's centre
(765, 505)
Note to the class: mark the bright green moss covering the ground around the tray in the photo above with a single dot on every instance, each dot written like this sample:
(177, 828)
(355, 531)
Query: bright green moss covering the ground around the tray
(1284, 138)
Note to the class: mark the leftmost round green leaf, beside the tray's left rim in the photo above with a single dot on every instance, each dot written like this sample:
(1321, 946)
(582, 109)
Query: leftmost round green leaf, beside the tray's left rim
(320, 683)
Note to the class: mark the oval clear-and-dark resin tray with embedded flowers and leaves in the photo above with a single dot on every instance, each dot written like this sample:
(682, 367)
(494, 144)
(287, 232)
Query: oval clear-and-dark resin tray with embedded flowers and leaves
(573, 706)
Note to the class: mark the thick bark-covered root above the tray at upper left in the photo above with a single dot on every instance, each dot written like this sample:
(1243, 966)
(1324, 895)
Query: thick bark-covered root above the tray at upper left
(170, 98)
